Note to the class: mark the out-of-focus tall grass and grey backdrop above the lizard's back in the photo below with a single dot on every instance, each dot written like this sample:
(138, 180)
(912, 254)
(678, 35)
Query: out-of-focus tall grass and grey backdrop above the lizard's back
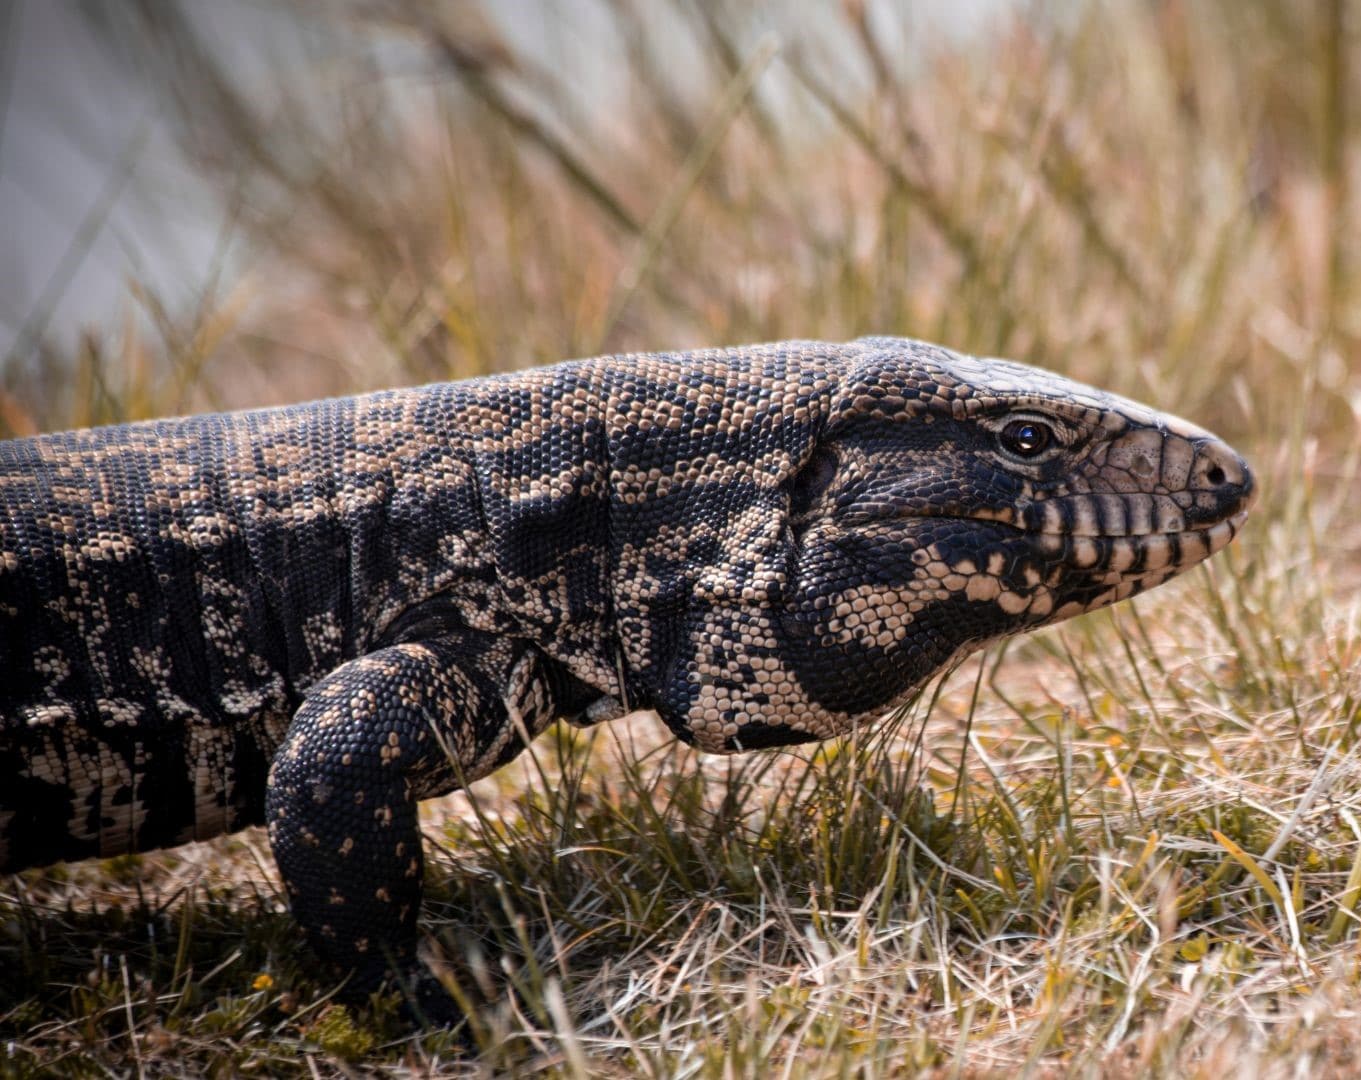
(251, 203)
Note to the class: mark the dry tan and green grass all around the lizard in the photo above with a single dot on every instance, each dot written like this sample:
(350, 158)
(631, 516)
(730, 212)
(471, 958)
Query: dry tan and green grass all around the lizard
(1126, 847)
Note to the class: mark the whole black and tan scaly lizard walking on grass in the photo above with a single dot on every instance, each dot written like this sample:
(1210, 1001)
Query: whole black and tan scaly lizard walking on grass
(316, 617)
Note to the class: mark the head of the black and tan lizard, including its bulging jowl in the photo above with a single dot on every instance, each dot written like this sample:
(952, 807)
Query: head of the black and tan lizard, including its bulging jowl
(949, 501)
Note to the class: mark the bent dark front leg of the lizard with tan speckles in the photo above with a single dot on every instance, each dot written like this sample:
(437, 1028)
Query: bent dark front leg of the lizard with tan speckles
(371, 741)
